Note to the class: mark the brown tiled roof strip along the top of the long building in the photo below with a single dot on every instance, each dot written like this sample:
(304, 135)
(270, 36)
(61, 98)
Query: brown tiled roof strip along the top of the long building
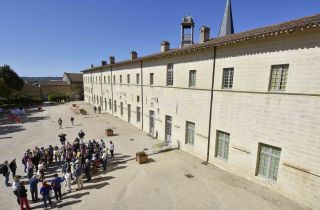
(301, 24)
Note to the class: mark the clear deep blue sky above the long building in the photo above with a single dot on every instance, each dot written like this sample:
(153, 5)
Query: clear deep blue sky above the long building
(49, 37)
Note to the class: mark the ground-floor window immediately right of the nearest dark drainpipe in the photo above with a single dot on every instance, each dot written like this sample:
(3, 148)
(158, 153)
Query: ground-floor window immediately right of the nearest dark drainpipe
(222, 146)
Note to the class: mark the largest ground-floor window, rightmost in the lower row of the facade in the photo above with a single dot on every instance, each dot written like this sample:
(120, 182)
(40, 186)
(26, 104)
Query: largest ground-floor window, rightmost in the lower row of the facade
(269, 159)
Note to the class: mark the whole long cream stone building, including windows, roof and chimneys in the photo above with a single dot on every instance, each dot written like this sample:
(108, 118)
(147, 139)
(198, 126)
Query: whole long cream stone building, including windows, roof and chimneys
(247, 102)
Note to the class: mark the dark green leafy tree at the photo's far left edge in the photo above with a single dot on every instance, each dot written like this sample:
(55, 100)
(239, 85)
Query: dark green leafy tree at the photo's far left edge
(9, 80)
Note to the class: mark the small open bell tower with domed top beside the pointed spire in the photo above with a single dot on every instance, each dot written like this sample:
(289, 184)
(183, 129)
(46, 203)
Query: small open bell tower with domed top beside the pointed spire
(187, 29)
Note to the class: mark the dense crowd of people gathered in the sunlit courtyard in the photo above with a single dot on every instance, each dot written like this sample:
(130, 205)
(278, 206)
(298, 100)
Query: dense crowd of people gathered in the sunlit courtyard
(74, 159)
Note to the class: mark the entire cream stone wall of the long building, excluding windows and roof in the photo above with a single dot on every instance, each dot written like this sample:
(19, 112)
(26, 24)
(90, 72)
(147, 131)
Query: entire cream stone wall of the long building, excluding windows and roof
(249, 111)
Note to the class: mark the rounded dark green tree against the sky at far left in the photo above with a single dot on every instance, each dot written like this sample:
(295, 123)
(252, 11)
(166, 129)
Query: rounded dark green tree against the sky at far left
(10, 78)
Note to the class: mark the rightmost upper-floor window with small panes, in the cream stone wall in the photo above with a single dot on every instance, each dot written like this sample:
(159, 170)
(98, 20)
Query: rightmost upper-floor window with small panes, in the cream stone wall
(279, 75)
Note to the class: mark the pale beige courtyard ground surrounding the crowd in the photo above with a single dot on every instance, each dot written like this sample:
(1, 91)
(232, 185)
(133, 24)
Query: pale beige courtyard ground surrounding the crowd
(159, 184)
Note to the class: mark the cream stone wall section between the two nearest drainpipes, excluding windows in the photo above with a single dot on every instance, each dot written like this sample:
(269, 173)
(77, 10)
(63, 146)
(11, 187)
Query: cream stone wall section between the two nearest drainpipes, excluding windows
(179, 101)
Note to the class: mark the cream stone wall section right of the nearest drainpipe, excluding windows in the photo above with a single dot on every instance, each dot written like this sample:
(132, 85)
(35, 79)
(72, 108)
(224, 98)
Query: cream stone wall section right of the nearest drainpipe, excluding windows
(288, 120)
